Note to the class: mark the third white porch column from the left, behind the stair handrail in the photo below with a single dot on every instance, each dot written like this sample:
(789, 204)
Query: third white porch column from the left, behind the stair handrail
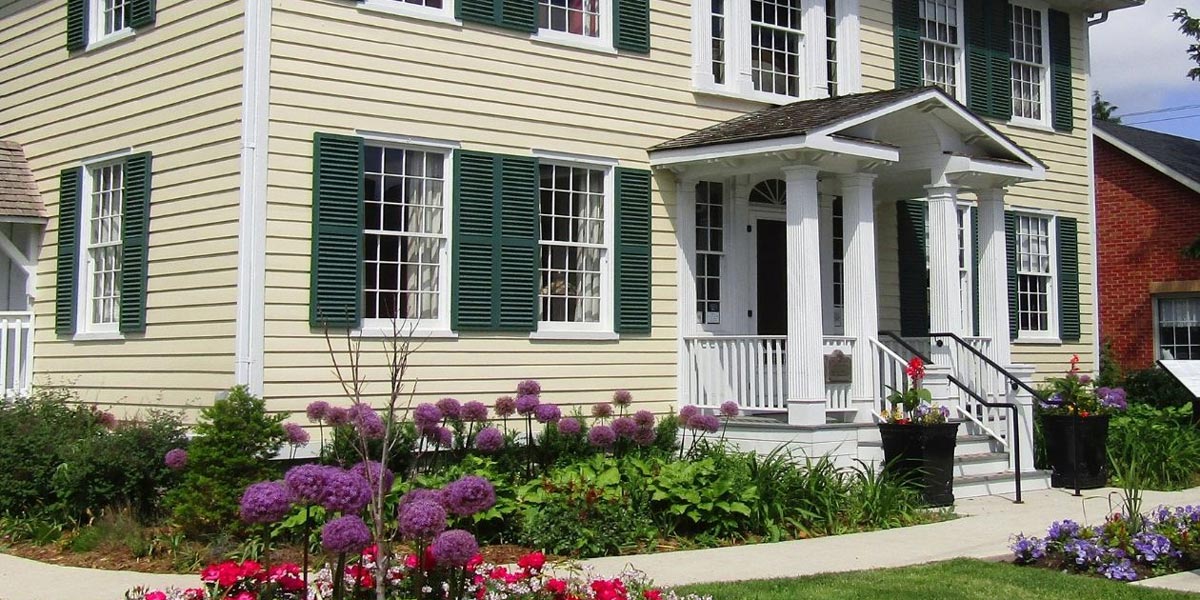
(943, 245)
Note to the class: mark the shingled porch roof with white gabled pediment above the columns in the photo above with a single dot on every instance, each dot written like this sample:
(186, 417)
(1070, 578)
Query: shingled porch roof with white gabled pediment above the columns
(889, 131)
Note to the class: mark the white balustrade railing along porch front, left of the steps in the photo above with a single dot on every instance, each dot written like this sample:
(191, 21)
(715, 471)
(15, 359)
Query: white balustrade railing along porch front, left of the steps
(751, 371)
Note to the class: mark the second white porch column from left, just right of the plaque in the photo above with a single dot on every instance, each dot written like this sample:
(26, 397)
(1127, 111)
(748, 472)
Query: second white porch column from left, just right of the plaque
(861, 320)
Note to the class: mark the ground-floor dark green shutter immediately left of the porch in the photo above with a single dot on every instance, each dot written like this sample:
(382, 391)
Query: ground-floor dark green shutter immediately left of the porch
(633, 248)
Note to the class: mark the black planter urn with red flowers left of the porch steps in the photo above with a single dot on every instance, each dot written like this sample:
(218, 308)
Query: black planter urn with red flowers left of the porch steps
(923, 457)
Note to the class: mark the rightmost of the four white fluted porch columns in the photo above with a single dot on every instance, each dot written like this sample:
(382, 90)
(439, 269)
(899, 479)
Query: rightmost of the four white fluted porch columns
(994, 274)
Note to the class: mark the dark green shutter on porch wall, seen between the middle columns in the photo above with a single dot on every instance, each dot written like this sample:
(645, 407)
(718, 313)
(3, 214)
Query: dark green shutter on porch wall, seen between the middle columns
(914, 269)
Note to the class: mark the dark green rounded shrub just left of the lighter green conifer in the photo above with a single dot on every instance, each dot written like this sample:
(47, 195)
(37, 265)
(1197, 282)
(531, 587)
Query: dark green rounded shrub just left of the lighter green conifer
(124, 467)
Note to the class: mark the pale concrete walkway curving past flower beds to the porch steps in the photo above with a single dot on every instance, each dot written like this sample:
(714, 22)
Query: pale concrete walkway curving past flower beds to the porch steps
(983, 532)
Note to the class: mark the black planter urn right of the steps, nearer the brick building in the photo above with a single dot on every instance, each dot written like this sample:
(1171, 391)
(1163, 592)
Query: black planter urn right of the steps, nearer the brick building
(1076, 448)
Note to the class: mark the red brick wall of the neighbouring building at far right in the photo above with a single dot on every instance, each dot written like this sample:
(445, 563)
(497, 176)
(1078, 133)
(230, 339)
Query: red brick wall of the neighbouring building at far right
(1144, 221)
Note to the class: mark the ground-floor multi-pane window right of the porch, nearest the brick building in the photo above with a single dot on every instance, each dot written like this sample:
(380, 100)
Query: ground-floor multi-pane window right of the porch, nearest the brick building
(1035, 274)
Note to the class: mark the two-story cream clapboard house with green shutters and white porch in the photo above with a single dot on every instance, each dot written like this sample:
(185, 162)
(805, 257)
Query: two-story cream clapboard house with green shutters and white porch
(776, 202)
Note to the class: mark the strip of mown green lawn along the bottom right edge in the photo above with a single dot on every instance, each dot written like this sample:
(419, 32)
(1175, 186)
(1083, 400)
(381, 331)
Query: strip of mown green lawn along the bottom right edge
(962, 579)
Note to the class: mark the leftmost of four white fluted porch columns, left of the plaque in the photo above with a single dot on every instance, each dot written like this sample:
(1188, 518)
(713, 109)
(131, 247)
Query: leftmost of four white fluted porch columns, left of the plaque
(806, 363)
